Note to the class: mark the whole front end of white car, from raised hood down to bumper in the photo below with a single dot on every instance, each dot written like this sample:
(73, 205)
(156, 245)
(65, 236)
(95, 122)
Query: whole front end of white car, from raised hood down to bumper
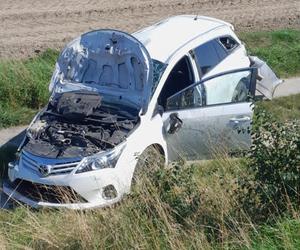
(101, 85)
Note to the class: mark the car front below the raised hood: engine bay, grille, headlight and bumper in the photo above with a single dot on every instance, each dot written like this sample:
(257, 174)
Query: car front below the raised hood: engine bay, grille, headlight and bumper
(66, 145)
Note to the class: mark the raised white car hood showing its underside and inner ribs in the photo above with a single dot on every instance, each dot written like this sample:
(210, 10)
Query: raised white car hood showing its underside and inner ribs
(110, 62)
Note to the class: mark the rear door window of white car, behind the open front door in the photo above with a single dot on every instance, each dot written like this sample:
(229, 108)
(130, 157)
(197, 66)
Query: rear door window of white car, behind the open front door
(208, 55)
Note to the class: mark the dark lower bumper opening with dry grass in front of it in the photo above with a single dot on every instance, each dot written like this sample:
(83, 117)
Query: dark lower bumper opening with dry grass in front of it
(47, 193)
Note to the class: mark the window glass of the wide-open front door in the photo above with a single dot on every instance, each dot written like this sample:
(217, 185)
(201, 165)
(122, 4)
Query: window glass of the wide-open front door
(233, 87)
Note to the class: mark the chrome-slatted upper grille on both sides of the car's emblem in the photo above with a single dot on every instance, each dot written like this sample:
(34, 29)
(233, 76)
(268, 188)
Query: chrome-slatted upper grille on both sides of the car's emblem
(54, 169)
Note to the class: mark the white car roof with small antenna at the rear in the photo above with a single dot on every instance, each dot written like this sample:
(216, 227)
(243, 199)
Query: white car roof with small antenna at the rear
(165, 37)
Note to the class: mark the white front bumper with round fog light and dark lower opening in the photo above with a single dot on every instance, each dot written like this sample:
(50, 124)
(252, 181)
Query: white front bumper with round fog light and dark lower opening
(91, 187)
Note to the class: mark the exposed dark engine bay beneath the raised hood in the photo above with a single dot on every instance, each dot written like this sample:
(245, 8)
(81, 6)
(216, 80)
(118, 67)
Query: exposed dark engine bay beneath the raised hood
(78, 124)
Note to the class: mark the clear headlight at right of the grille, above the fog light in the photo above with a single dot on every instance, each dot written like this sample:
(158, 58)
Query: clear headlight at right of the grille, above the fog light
(103, 160)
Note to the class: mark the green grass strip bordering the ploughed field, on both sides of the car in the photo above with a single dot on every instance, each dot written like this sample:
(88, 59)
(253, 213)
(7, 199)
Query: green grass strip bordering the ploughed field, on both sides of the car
(24, 83)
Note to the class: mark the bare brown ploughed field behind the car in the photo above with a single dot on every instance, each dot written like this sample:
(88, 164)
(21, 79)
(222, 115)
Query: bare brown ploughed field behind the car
(32, 25)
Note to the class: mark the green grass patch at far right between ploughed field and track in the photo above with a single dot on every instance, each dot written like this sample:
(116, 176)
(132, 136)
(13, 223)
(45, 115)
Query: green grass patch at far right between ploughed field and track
(281, 49)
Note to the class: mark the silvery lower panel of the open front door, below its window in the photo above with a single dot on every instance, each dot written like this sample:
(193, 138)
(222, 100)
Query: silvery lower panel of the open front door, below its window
(207, 131)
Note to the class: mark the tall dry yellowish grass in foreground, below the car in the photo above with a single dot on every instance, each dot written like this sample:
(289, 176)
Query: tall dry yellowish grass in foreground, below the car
(144, 220)
